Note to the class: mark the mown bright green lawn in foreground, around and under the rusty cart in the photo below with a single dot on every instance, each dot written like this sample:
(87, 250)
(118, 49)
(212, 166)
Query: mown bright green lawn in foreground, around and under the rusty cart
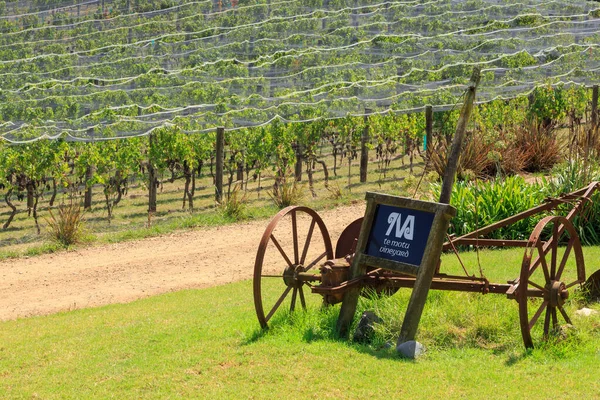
(206, 344)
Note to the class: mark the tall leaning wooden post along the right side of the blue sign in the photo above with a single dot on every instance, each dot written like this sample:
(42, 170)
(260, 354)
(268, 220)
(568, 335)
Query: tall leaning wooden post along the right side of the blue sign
(425, 274)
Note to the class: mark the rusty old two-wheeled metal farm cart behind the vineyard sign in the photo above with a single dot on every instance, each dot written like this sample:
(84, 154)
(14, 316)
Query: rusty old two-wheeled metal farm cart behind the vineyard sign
(552, 265)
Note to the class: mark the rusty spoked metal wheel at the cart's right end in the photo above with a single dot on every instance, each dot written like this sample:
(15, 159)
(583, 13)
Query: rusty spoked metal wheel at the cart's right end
(549, 270)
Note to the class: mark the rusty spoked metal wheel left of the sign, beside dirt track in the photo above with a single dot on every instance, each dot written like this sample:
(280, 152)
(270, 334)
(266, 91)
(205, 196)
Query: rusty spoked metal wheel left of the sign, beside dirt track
(287, 255)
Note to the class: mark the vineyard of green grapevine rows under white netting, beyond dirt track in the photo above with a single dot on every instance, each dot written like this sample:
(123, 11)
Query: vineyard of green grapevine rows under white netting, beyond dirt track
(125, 98)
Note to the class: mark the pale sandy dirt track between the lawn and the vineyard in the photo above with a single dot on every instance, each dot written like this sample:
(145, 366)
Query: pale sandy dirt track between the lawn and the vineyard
(127, 271)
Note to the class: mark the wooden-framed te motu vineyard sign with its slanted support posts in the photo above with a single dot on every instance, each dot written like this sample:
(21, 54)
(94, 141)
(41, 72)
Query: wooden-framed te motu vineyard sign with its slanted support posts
(406, 235)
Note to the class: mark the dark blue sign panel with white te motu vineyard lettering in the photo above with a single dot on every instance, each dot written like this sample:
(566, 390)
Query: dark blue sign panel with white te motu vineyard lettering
(399, 234)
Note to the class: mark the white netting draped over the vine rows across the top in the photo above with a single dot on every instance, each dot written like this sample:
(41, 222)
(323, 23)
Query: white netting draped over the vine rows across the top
(94, 69)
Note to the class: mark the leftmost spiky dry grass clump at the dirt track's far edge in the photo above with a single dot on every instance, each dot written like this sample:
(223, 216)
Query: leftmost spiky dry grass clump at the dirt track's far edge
(66, 224)
